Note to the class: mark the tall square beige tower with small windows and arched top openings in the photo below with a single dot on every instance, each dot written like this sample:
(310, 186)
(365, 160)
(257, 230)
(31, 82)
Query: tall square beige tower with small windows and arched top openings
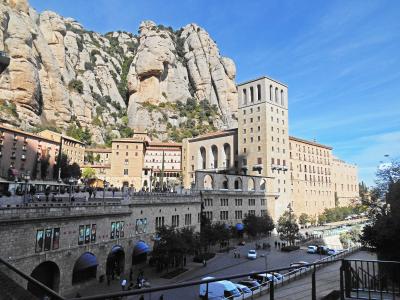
(263, 140)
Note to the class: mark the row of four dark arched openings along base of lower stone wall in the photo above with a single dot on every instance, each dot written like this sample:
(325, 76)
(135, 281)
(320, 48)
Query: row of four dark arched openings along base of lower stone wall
(86, 268)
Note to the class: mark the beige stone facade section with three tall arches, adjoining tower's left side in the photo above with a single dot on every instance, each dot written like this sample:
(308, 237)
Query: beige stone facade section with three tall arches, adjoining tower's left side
(215, 151)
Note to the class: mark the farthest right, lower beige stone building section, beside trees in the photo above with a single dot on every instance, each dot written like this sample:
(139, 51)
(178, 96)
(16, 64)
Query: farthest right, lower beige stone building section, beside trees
(345, 179)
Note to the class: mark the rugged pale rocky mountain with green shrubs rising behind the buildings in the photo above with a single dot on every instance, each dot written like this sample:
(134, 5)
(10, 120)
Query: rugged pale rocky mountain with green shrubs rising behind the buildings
(173, 84)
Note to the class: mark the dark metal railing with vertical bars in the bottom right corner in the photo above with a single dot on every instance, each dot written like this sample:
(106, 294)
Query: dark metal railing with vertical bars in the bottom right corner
(370, 279)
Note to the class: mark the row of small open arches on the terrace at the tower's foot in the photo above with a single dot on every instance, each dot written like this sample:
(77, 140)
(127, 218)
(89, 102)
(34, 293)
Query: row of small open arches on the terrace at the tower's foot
(210, 184)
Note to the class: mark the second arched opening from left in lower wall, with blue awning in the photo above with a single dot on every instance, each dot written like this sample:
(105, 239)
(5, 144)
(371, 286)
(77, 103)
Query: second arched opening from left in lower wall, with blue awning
(85, 268)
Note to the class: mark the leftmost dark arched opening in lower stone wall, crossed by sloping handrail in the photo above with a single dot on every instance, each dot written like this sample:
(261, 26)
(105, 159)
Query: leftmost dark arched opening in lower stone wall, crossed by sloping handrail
(47, 273)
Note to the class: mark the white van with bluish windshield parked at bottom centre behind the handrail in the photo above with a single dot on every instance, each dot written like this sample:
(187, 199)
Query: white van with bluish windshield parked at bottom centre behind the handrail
(219, 290)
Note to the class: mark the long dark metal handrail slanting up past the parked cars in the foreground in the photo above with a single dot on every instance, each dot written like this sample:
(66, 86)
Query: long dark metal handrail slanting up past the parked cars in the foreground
(292, 274)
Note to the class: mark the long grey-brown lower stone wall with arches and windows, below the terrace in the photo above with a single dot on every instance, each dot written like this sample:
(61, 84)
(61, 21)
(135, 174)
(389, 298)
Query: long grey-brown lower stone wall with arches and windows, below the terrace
(19, 227)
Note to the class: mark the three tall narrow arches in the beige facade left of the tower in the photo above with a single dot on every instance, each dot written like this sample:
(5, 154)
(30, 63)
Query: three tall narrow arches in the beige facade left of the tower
(213, 158)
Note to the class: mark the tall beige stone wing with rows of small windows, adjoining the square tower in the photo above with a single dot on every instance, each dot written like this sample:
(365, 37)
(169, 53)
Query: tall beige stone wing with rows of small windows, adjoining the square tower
(311, 177)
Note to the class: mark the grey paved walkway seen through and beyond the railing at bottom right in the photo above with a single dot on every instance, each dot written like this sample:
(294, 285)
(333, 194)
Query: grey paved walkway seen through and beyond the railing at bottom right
(327, 280)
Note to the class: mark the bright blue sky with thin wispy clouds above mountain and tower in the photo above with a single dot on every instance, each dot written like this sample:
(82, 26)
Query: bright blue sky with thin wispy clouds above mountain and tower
(340, 59)
